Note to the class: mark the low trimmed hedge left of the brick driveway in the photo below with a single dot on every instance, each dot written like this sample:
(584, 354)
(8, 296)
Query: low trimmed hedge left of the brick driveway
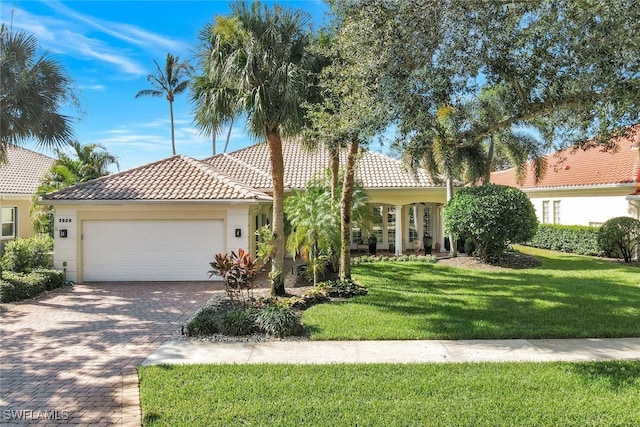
(19, 286)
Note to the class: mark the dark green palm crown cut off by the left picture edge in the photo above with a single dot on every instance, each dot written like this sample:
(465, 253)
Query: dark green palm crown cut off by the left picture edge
(32, 90)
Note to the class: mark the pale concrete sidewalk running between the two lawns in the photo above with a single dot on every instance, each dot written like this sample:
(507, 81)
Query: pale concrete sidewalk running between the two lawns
(436, 351)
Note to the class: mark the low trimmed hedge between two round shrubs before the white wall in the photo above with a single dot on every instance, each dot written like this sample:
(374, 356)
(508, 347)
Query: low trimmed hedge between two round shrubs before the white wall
(577, 239)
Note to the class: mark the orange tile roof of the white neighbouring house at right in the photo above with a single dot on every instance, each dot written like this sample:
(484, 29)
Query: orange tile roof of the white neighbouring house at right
(578, 168)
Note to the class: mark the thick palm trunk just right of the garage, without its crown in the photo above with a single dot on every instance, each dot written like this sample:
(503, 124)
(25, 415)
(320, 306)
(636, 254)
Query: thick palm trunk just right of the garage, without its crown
(277, 175)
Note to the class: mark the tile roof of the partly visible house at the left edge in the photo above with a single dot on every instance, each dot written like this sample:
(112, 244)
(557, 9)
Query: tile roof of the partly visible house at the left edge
(23, 170)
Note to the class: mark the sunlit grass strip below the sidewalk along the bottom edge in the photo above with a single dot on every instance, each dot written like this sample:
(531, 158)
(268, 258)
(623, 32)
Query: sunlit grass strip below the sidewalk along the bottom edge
(510, 394)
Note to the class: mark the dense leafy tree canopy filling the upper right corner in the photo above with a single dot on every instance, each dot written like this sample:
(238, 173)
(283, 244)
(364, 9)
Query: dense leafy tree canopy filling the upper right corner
(568, 66)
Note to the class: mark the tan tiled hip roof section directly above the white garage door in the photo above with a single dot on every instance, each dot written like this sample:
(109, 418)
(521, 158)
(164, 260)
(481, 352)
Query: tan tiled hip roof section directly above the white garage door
(174, 178)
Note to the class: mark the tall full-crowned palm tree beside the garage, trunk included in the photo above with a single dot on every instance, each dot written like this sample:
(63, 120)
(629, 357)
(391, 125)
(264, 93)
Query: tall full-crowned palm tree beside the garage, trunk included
(259, 64)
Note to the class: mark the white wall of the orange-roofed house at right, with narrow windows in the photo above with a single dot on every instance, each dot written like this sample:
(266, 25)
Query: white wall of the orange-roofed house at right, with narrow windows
(585, 206)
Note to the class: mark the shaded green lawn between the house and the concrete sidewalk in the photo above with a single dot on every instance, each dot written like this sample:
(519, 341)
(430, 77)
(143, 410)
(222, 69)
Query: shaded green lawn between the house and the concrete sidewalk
(569, 296)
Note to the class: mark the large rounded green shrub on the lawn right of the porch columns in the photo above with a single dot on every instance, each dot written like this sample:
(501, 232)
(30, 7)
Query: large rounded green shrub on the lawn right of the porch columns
(494, 216)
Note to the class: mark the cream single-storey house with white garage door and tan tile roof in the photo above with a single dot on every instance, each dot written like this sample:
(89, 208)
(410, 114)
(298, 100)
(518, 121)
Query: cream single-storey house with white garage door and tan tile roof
(166, 220)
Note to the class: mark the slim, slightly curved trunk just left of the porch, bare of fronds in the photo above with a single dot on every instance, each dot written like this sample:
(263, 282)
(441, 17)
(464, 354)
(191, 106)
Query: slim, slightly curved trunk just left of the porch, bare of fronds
(345, 211)
